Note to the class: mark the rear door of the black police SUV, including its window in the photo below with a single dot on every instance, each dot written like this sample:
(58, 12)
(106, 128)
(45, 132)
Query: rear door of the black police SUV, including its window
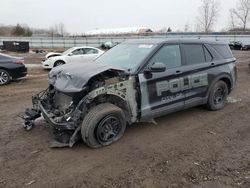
(197, 69)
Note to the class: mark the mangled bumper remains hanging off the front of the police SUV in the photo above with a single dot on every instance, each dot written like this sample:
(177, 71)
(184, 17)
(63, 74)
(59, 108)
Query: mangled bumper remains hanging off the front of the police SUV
(66, 130)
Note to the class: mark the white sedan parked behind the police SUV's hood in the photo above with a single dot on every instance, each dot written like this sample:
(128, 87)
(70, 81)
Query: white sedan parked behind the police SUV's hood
(72, 55)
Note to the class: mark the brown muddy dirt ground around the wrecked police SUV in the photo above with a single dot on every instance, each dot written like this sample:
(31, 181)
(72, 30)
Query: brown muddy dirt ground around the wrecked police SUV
(192, 148)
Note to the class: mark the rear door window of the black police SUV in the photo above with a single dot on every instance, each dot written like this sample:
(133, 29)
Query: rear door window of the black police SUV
(194, 53)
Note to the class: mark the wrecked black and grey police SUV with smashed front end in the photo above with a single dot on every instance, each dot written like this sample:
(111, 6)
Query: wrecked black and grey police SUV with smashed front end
(136, 81)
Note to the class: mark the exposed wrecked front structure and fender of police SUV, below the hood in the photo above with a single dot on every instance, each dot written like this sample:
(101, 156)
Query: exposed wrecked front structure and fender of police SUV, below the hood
(65, 118)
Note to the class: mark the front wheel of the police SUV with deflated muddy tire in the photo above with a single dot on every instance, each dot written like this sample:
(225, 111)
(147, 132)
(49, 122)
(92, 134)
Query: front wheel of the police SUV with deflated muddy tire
(103, 125)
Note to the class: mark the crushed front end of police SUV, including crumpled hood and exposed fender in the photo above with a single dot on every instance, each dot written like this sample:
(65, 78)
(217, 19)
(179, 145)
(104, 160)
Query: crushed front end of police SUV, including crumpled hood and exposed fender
(71, 94)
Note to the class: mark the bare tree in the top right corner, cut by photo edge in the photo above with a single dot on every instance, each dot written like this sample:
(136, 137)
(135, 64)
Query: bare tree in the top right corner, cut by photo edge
(242, 13)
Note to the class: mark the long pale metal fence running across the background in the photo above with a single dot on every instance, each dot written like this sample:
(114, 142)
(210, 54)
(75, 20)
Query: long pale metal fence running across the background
(67, 42)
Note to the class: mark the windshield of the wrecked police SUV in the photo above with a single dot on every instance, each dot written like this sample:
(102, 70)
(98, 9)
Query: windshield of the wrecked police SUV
(126, 56)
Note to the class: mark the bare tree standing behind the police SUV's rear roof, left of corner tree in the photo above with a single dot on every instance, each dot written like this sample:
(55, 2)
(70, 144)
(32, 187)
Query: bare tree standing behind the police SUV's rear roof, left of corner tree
(208, 14)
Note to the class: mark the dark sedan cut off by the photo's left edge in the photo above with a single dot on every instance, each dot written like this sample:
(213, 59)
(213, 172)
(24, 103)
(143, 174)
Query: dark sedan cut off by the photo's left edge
(11, 68)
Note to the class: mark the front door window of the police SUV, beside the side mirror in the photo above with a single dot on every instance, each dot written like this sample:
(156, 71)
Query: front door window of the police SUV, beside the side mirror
(170, 55)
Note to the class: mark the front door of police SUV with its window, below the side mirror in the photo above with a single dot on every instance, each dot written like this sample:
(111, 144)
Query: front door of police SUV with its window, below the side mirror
(161, 91)
